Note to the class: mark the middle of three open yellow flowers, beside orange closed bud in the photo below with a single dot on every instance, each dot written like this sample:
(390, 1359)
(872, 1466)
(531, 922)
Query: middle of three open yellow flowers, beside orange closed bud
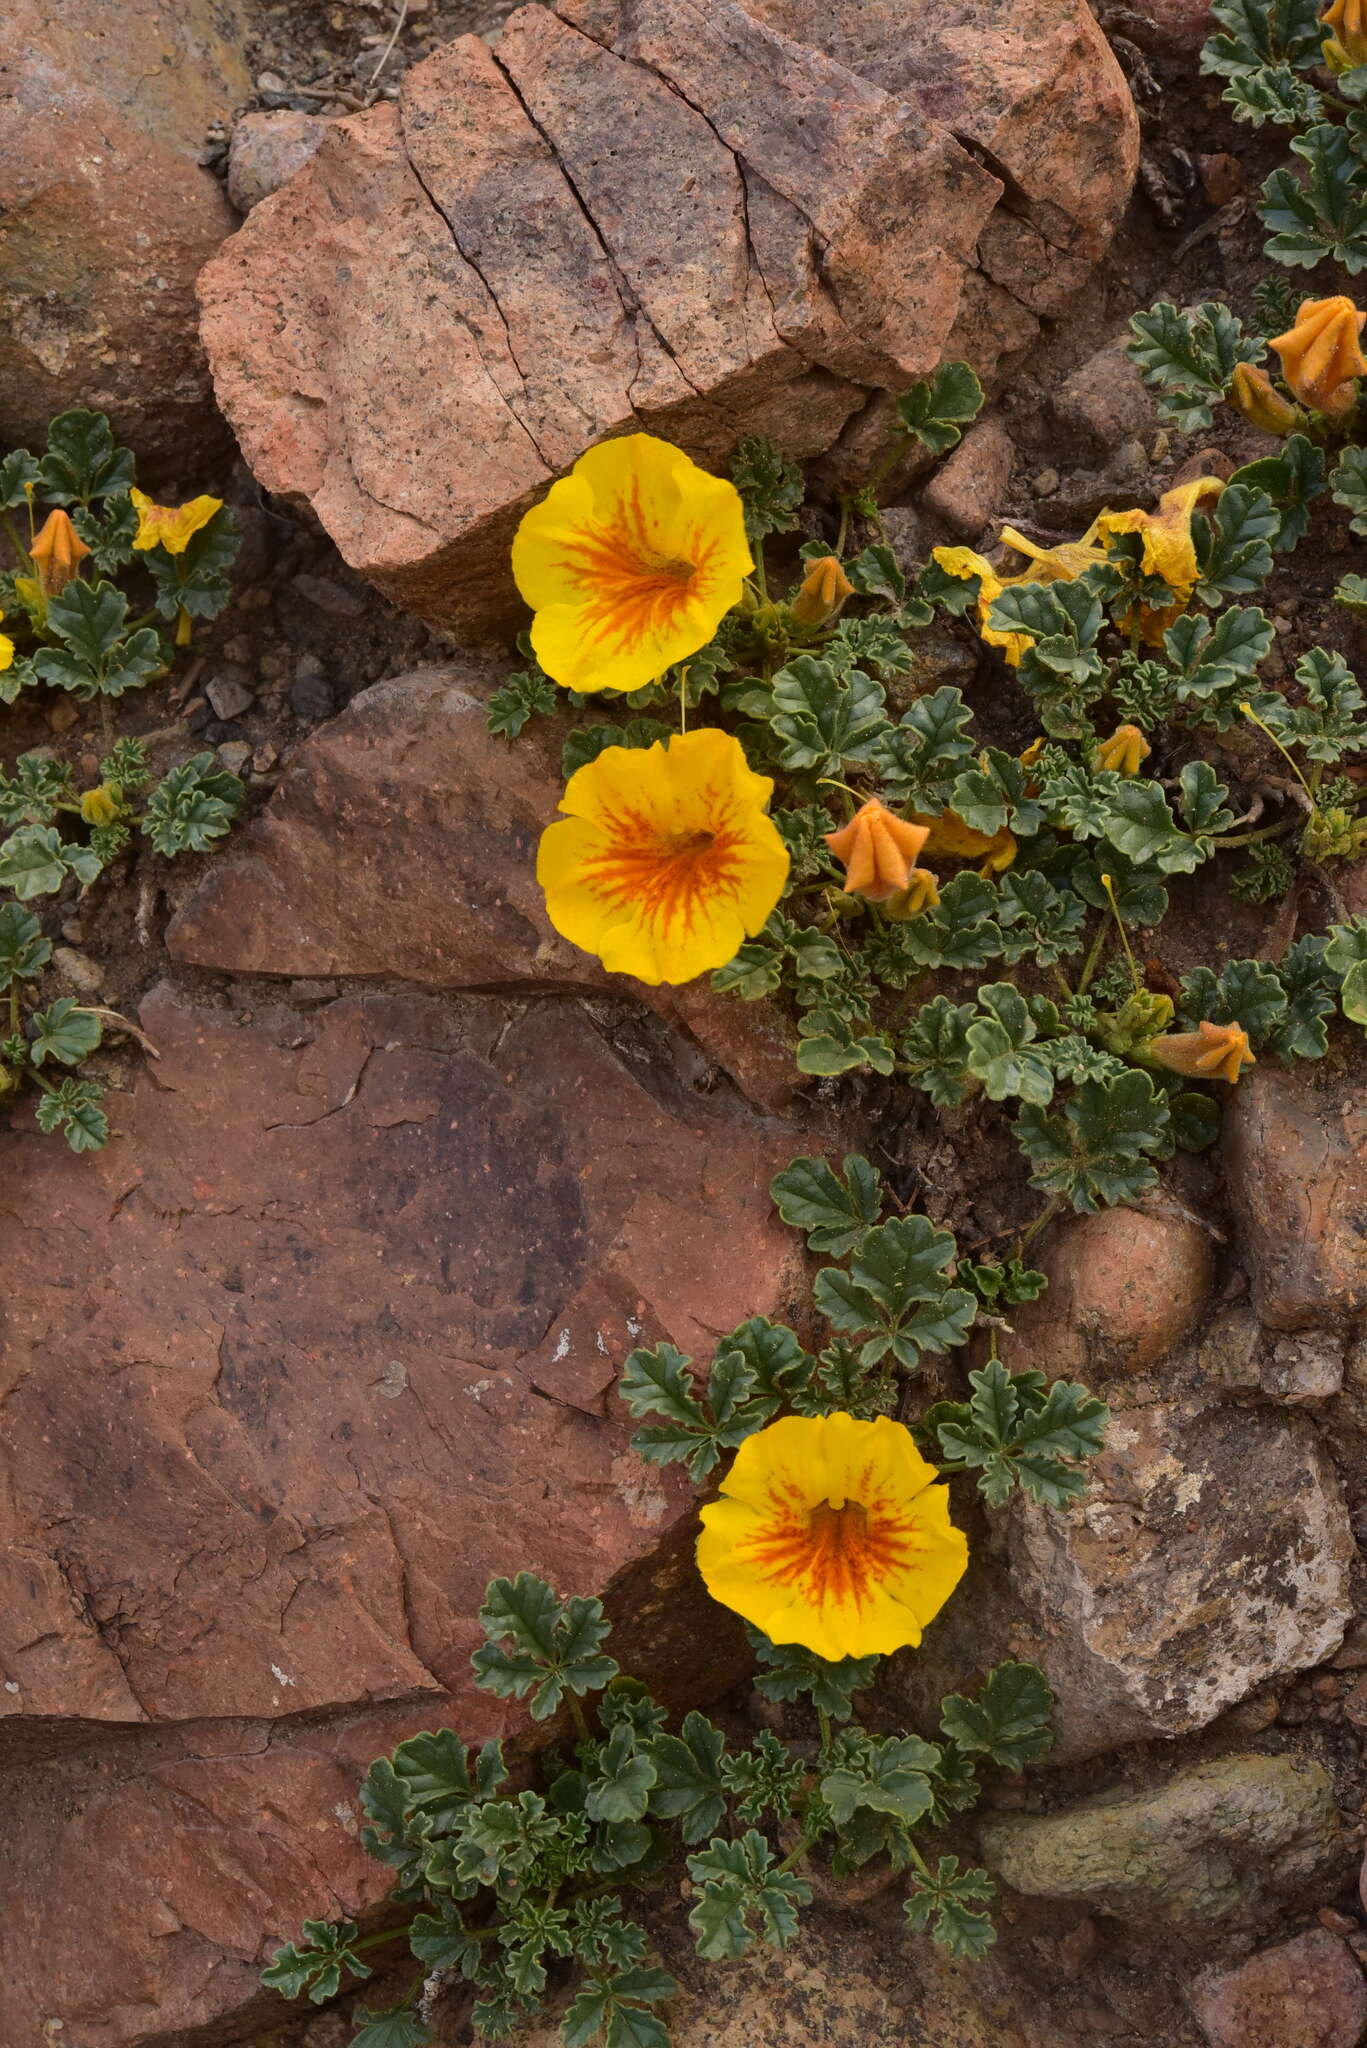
(665, 861)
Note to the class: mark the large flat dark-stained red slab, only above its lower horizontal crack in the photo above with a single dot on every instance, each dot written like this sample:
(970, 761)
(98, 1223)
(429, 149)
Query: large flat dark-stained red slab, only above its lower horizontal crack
(329, 1336)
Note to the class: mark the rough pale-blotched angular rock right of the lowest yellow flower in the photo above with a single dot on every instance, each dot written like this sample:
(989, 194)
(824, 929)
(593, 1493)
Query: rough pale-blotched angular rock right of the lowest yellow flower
(1210, 1555)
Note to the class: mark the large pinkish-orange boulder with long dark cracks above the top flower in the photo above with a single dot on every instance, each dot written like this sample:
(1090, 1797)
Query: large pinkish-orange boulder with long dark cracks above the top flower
(696, 220)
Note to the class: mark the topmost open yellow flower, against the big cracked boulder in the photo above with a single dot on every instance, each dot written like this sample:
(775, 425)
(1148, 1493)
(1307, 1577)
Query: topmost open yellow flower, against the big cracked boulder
(630, 564)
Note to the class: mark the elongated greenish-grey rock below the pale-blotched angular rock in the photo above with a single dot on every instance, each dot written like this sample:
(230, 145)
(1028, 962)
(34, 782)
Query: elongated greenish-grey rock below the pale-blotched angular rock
(1216, 1844)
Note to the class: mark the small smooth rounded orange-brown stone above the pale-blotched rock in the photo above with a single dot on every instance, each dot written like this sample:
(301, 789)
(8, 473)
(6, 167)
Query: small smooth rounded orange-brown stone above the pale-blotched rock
(1126, 1287)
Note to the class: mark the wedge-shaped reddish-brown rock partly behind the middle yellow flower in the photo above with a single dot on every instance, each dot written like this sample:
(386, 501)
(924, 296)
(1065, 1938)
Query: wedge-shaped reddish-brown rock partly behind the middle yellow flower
(403, 845)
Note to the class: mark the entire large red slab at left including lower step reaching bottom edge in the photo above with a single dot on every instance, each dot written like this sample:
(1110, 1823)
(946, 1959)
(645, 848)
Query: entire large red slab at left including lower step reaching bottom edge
(298, 1365)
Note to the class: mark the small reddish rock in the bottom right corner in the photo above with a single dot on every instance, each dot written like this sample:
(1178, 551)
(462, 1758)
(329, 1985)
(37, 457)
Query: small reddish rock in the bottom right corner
(1304, 1994)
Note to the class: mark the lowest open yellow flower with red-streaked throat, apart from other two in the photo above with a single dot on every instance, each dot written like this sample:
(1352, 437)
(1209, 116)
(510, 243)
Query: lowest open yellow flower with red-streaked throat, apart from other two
(833, 1535)
